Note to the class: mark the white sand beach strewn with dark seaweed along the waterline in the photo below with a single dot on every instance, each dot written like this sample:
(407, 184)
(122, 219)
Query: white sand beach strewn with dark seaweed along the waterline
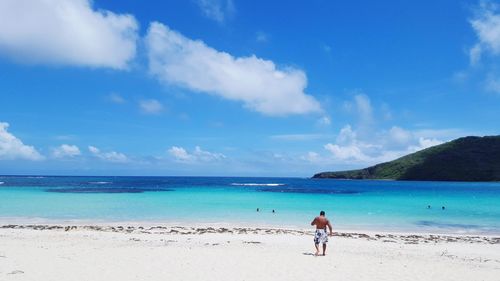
(47, 253)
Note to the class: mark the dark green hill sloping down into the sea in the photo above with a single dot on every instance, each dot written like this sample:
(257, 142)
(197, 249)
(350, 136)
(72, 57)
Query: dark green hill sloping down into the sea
(463, 159)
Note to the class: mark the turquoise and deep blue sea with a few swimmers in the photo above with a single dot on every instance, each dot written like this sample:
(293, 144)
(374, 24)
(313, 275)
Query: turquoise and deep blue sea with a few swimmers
(351, 205)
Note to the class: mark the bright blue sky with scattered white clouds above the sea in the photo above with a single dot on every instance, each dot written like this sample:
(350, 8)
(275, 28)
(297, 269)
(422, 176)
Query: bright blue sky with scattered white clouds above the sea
(240, 88)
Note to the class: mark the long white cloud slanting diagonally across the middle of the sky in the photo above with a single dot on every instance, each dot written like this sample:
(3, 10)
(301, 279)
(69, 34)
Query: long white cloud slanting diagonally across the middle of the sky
(258, 83)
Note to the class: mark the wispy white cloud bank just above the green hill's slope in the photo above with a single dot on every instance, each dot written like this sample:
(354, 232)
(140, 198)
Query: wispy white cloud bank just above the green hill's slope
(369, 141)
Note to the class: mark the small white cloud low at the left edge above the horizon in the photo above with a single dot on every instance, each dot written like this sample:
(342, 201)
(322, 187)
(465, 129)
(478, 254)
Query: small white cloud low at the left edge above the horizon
(13, 148)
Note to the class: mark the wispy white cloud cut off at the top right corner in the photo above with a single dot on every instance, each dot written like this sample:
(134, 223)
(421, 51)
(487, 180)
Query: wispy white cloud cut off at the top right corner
(486, 24)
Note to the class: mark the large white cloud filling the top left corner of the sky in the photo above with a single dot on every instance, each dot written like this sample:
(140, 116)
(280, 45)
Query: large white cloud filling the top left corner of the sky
(68, 32)
